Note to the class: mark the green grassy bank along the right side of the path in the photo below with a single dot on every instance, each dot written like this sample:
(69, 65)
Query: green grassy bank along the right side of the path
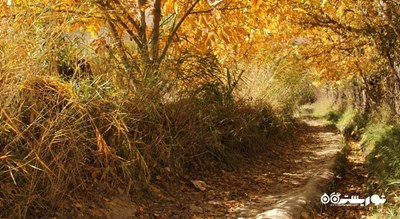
(378, 134)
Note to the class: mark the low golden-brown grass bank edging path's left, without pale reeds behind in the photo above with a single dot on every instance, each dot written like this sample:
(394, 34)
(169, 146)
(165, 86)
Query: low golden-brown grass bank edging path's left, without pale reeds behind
(59, 139)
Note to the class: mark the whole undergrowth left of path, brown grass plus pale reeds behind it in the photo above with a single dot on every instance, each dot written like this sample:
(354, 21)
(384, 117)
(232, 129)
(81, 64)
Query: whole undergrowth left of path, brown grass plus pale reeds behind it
(60, 138)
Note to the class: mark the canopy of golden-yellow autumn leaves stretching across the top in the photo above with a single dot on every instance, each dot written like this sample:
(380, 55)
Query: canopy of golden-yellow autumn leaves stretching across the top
(328, 35)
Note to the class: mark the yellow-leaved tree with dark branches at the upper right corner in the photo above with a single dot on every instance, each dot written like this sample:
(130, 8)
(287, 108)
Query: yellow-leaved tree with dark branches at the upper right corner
(355, 39)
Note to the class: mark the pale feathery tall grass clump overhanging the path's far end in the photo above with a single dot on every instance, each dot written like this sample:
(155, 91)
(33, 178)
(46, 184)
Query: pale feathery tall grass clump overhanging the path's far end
(280, 80)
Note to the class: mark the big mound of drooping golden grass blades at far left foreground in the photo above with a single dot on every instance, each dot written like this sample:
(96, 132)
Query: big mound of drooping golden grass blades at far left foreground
(52, 145)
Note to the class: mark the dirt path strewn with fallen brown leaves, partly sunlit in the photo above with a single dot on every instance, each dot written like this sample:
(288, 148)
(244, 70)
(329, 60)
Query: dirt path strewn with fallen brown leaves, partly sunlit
(264, 181)
